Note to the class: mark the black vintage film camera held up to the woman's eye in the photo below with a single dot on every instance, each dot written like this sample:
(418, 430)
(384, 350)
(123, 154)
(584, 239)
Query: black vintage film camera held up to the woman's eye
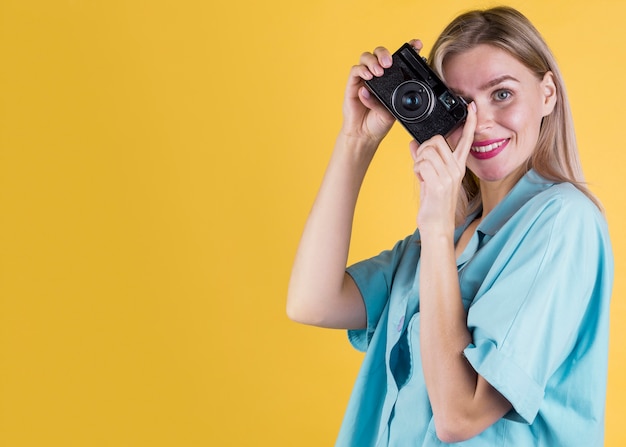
(414, 94)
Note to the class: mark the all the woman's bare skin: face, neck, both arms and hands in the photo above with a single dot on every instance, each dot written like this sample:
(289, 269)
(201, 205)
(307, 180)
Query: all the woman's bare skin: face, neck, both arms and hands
(508, 103)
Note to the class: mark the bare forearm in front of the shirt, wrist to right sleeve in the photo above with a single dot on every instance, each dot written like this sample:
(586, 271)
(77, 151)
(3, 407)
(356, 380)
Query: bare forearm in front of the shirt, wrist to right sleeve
(463, 403)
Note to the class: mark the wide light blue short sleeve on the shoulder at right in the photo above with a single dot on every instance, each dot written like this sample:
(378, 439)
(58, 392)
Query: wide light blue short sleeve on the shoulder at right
(528, 313)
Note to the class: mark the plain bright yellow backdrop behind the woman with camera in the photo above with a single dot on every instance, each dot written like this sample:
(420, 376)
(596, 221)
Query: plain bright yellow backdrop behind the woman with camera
(157, 163)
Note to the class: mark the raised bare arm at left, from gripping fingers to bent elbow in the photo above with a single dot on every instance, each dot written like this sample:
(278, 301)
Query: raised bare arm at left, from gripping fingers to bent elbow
(320, 292)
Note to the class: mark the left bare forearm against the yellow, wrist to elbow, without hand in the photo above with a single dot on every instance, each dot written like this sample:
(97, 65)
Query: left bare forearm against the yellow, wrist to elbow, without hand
(318, 276)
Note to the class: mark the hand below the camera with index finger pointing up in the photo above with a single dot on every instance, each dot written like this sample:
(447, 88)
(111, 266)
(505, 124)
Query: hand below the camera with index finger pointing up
(440, 172)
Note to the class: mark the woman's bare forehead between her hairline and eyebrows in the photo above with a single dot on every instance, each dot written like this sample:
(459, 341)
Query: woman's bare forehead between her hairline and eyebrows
(474, 70)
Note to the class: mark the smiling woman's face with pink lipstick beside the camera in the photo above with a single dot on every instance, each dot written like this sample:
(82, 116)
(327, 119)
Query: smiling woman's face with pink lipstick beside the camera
(510, 102)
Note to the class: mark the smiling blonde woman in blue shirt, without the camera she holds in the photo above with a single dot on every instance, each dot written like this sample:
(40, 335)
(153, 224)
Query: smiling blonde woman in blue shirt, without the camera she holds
(489, 325)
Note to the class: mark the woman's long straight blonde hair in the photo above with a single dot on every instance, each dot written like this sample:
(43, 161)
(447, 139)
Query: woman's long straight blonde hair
(556, 154)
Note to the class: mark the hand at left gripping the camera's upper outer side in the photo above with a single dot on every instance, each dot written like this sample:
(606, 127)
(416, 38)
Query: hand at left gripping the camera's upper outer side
(364, 115)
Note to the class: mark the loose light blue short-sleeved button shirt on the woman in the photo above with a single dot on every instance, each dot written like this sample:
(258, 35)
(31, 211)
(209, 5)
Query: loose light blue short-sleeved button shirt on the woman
(536, 281)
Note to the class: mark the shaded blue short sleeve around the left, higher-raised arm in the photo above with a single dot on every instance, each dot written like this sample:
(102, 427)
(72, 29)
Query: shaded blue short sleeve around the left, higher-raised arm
(374, 278)
